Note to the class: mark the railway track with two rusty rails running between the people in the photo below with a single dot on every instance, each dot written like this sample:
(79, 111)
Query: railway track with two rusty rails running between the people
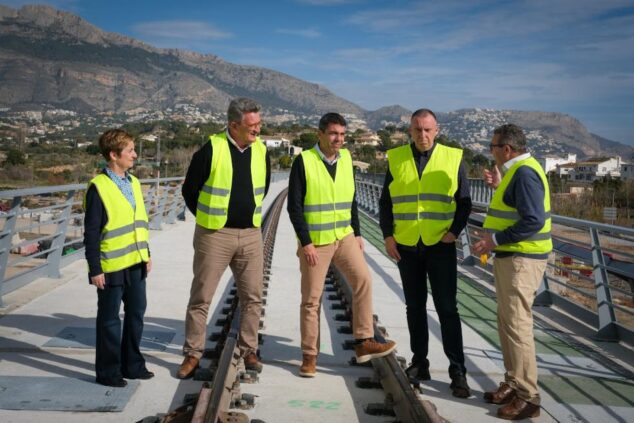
(220, 398)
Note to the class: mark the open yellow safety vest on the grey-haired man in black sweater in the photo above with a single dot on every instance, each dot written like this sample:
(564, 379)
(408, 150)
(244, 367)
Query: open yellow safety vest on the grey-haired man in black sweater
(213, 199)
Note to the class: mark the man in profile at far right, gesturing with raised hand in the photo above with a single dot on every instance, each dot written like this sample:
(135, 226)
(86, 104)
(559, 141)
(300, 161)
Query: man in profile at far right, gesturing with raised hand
(518, 231)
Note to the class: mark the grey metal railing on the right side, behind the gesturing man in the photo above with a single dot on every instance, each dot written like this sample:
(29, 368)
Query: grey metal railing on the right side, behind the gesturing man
(590, 271)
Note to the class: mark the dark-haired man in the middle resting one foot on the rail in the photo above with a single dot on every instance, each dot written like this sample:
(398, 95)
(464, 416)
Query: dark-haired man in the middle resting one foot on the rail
(323, 210)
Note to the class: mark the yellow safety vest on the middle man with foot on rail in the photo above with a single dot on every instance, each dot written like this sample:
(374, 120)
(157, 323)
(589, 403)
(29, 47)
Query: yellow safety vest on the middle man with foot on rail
(328, 203)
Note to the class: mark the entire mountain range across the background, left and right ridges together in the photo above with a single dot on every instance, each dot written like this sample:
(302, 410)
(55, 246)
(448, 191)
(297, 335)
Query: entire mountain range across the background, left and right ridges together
(54, 59)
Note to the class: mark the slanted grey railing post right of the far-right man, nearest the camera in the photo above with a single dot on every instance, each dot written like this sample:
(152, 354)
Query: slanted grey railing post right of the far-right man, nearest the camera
(607, 320)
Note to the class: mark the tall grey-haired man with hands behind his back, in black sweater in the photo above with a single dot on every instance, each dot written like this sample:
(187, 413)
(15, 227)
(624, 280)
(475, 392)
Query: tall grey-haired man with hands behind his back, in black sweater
(226, 182)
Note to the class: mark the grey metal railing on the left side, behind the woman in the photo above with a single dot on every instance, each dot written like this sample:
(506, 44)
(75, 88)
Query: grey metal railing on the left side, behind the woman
(41, 228)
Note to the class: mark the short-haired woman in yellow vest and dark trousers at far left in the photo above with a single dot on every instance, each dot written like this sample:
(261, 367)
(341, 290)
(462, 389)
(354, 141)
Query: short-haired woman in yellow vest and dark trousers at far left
(116, 240)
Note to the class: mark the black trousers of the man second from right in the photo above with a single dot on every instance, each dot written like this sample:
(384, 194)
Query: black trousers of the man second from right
(438, 263)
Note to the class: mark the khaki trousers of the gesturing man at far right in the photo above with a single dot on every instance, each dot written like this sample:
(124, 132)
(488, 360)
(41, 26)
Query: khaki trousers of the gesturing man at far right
(516, 281)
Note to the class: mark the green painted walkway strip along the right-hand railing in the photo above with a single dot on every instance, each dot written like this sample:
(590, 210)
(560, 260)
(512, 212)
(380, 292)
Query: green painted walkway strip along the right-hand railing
(478, 310)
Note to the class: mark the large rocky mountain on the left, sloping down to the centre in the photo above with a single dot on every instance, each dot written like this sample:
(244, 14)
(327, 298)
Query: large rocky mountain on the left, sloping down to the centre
(56, 58)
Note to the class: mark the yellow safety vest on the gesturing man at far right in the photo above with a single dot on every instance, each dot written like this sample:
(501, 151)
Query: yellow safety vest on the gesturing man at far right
(500, 216)
